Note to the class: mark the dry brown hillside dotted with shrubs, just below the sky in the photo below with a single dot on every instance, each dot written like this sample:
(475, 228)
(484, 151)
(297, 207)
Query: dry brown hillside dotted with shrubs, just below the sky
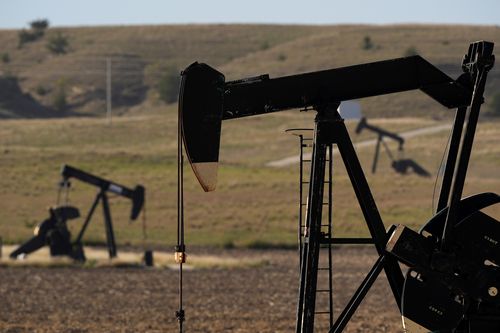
(141, 56)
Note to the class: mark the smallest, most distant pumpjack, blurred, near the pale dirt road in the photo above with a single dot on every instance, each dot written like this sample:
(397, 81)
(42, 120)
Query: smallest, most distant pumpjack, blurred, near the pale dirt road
(400, 165)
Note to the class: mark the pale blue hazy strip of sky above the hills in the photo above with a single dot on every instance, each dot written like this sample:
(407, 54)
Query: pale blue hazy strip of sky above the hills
(16, 13)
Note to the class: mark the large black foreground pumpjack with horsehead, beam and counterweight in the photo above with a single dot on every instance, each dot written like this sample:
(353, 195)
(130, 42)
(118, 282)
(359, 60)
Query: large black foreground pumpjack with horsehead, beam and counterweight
(453, 277)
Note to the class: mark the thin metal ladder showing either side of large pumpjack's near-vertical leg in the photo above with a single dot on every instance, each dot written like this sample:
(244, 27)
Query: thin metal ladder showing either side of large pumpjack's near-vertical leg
(325, 270)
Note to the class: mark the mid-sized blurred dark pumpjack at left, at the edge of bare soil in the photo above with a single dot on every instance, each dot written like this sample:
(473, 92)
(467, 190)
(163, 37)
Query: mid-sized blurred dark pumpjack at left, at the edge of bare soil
(54, 231)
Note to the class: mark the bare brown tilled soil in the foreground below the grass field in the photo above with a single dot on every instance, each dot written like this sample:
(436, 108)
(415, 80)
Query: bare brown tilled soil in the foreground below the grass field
(249, 299)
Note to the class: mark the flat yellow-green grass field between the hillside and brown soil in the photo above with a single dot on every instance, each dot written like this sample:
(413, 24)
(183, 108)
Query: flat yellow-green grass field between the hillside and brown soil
(253, 205)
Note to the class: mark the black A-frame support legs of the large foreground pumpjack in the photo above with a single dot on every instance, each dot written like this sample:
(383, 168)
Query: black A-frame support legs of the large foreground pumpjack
(330, 129)
